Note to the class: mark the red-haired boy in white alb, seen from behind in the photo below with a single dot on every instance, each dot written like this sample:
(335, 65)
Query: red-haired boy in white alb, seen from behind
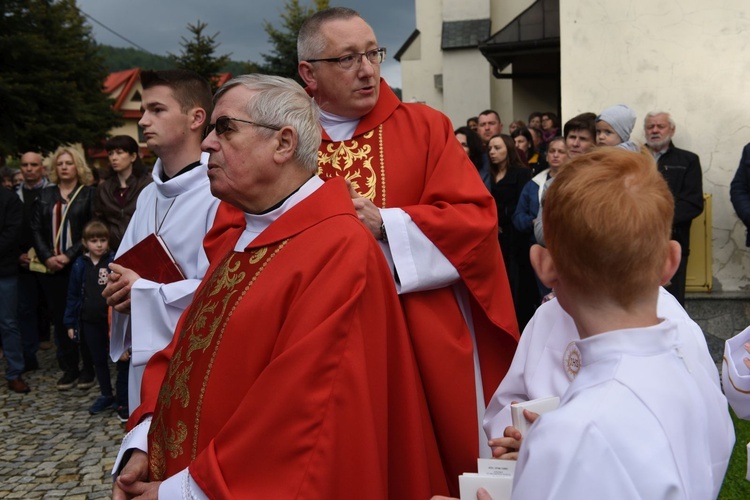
(640, 414)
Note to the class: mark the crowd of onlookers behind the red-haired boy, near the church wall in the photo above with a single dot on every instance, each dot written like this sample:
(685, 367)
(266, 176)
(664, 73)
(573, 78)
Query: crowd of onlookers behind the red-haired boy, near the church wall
(519, 167)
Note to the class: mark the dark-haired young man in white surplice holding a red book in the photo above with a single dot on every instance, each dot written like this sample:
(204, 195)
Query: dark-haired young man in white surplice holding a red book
(178, 206)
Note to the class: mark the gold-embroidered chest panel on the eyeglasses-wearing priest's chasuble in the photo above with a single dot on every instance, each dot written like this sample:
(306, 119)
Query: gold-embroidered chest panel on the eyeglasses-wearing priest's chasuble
(359, 160)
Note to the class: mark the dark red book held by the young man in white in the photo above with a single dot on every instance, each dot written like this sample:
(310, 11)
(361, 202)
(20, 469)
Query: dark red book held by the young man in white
(152, 260)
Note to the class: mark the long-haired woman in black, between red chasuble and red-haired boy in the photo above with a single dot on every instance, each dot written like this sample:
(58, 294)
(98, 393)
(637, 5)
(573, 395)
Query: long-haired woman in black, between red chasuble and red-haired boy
(509, 176)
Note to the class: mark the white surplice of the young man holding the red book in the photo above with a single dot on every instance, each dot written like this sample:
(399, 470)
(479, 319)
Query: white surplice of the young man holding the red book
(181, 211)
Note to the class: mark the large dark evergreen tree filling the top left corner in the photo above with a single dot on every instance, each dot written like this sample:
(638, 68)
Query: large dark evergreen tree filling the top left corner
(51, 78)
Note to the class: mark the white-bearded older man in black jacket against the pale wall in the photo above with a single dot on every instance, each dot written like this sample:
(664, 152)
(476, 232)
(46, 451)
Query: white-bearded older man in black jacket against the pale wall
(682, 171)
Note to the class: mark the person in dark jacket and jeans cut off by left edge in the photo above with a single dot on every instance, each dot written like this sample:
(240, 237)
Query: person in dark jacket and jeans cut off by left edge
(10, 229)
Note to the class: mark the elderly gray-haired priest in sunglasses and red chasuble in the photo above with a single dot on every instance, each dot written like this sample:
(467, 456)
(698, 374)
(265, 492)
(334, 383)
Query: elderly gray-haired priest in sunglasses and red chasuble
(291, 374)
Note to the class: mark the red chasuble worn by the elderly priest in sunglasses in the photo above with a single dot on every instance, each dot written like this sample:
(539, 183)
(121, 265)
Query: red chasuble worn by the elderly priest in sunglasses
(291, 374)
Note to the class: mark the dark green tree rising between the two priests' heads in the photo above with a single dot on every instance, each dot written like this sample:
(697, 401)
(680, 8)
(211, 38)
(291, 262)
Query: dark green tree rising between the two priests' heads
(282, 60)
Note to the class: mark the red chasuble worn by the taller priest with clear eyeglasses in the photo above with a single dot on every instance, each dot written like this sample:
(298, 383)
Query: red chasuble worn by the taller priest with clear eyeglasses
(406, 156)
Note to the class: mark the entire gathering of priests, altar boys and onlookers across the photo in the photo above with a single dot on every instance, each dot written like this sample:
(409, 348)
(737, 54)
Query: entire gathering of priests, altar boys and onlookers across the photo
(353, 273)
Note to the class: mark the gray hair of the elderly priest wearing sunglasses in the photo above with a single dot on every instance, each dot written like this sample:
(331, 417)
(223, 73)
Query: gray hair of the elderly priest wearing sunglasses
(281, 102)
